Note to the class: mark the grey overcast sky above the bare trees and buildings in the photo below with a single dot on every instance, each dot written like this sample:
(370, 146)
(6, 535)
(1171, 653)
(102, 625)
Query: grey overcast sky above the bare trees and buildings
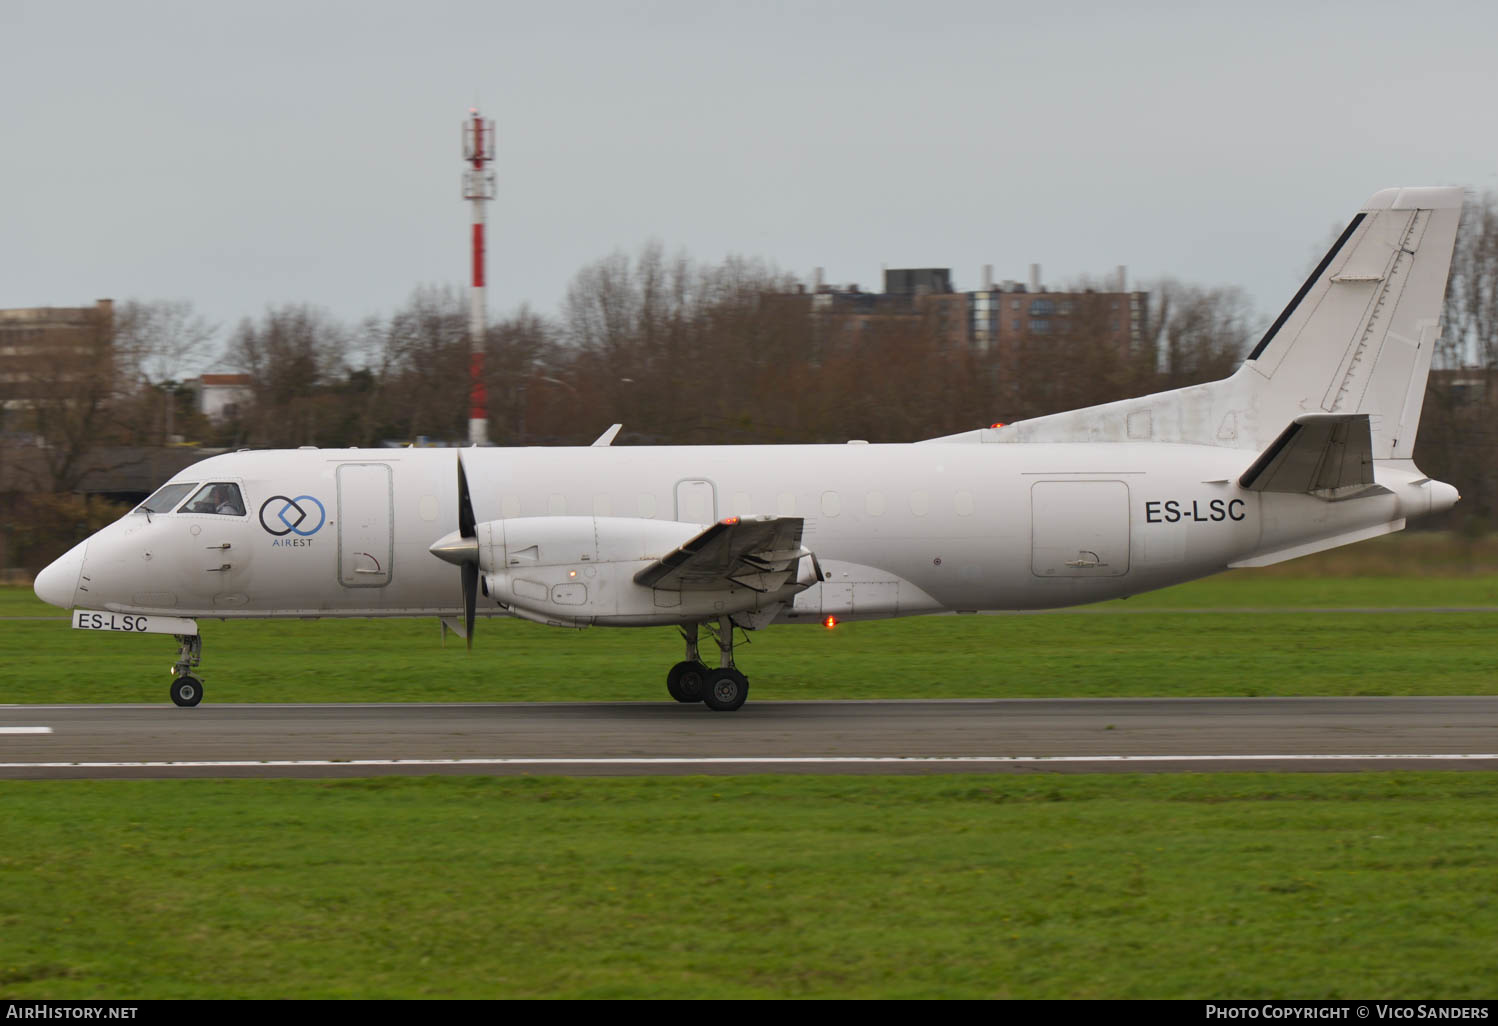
(243, 155)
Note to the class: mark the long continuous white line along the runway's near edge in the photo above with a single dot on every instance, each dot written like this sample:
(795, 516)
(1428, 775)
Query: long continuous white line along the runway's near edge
(750, 760)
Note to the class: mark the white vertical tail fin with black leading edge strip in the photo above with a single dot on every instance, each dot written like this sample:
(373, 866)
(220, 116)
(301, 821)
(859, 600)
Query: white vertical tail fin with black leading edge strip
(1356, 339)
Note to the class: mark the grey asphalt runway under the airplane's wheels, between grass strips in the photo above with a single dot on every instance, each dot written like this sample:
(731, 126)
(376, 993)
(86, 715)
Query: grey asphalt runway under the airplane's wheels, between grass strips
(1079, 735)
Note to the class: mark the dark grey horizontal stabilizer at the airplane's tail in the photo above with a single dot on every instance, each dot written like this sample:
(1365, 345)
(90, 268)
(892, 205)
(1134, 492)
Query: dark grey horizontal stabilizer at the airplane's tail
(1329, 456)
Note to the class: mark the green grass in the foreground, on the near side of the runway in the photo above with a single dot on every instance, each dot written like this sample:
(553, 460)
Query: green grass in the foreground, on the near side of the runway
(1232, 886)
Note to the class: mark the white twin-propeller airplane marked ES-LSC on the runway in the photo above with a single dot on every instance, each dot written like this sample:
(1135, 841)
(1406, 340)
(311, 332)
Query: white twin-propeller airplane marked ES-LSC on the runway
(1307, 447)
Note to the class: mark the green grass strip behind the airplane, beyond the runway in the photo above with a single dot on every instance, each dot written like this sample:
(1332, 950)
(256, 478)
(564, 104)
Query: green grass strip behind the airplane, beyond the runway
(1133, 648)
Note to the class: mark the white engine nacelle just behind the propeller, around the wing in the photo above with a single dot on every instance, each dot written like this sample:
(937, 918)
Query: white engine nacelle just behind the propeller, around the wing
(579, 571)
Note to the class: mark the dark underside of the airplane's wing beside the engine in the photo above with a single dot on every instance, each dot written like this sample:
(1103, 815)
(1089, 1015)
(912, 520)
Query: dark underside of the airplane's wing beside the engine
(760, 553)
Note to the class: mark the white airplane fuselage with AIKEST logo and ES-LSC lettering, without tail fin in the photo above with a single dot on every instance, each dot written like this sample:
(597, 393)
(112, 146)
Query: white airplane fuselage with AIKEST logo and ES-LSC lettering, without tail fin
(898, 529)
